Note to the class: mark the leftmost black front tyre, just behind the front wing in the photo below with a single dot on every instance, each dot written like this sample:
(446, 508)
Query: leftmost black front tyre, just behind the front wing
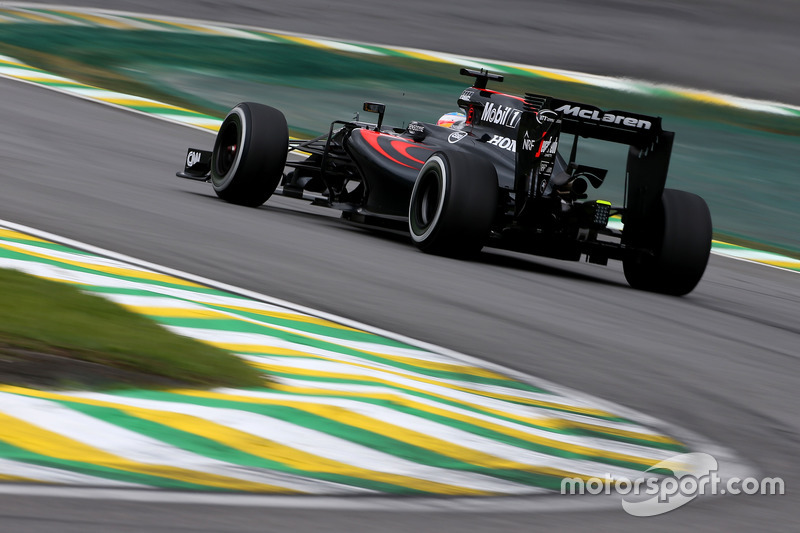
(249, 154)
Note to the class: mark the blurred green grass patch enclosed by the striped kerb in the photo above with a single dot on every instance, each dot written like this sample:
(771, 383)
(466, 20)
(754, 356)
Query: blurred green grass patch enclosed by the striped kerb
(40, 319)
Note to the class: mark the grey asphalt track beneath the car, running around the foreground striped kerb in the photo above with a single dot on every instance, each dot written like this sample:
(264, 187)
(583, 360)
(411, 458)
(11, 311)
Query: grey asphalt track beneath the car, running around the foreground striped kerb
(722, 362)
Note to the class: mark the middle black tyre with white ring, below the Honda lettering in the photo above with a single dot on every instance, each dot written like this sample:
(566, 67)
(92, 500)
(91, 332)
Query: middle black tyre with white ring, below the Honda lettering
(453, 204)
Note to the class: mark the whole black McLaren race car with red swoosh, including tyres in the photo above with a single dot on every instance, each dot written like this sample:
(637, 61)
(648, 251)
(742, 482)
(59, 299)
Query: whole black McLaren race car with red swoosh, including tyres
(497, 179)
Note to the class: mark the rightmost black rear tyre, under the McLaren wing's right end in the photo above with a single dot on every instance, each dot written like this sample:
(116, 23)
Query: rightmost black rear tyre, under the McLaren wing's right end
(679, 235)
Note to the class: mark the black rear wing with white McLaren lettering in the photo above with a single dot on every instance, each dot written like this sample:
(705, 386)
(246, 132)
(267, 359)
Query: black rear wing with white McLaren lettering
(545, 118)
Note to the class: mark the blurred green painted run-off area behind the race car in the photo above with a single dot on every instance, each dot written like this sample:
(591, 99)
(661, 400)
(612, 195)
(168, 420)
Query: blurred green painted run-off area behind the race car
(745, 164)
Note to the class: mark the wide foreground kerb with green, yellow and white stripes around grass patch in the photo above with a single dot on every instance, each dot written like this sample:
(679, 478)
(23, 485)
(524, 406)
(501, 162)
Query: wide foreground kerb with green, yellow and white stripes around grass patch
(344, 411)
